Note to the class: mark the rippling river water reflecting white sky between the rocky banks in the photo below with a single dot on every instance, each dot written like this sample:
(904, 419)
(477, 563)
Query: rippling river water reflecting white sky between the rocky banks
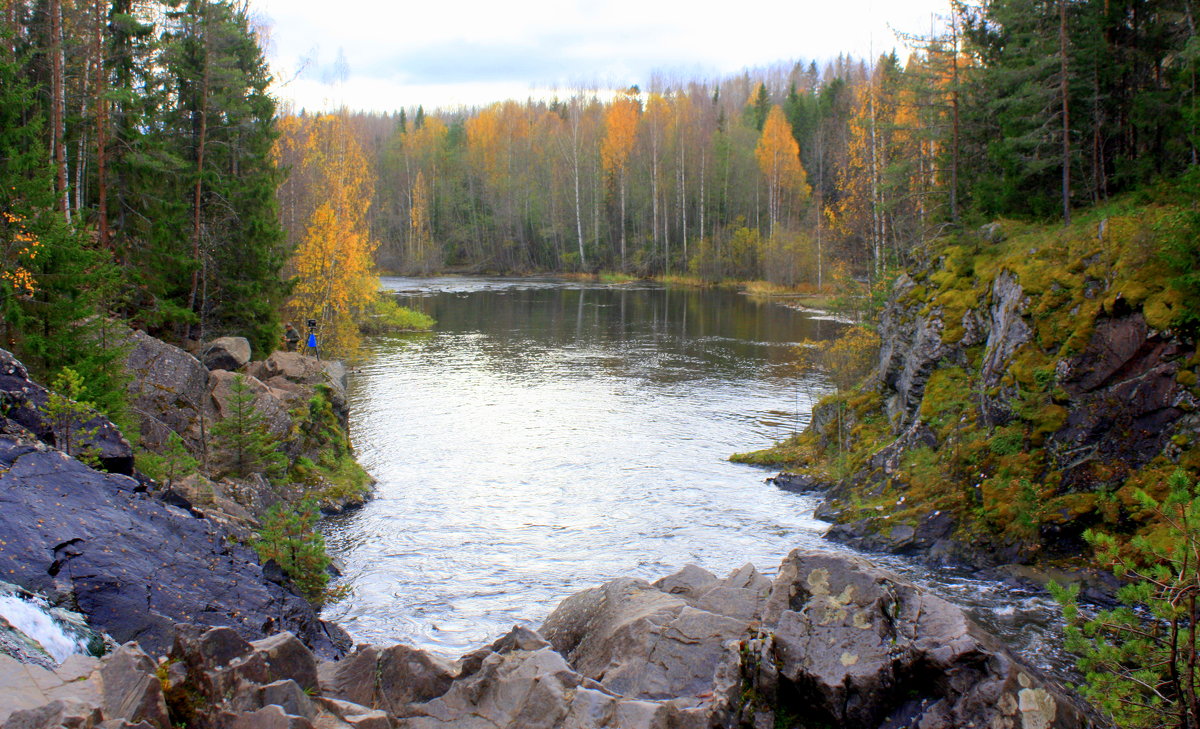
(550, 436)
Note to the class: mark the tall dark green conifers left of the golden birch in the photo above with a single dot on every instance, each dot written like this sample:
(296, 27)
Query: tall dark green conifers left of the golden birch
(139, 179)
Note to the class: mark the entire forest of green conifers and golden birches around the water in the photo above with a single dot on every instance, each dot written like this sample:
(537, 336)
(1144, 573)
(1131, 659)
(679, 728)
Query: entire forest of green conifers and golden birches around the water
(149, 174)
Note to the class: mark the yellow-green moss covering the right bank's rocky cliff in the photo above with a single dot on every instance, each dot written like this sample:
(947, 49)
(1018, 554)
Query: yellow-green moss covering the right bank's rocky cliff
(1000, 483)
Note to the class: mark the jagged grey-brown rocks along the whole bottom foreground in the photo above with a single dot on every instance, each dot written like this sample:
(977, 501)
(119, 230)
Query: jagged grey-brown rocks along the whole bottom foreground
(832, 642)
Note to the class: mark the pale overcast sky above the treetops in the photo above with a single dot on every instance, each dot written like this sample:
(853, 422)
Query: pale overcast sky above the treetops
(387, 55)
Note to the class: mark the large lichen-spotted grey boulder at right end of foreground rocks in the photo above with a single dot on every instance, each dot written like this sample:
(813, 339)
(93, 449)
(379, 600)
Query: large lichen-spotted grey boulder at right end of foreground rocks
(855, 646)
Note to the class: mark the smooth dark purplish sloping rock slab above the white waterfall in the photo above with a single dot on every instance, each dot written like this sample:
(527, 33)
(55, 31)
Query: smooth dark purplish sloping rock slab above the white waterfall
(134, 565)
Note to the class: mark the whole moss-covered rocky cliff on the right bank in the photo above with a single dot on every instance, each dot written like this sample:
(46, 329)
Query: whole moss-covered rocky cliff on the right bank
(1029, 383)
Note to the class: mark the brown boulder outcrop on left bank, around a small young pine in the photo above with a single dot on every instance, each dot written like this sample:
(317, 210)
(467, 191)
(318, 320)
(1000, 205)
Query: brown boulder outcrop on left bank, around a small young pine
(301, 400)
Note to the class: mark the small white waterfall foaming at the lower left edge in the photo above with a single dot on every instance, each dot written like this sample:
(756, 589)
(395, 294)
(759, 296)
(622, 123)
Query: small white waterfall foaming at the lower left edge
(33, 631)
